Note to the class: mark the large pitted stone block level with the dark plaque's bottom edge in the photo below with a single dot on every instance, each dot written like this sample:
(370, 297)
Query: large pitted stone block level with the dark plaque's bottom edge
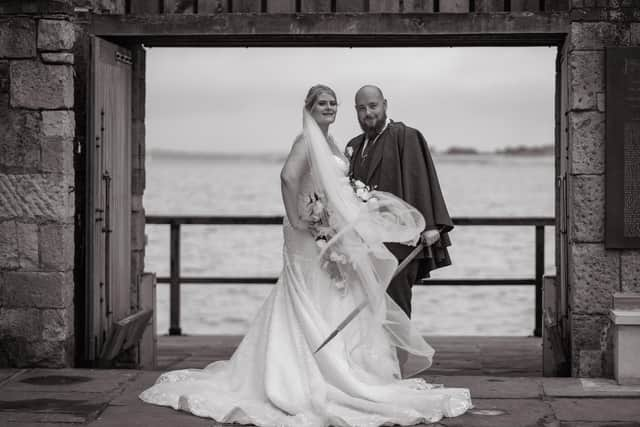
(593, 277)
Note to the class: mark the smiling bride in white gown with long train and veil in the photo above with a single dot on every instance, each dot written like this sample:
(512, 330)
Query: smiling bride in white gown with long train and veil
(333, 259)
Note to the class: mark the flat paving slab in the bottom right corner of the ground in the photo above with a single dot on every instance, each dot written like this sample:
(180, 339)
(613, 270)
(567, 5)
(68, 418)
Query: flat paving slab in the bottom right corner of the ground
(596, 409)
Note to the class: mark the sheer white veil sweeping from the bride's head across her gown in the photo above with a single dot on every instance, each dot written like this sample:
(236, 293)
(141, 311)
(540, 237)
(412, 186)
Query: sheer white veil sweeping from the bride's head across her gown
(355, 251)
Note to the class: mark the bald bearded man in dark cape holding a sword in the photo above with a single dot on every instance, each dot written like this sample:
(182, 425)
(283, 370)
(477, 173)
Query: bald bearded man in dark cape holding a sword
(392, 157)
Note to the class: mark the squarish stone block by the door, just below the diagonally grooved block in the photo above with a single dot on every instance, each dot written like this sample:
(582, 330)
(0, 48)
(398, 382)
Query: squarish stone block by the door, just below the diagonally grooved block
(56, 243)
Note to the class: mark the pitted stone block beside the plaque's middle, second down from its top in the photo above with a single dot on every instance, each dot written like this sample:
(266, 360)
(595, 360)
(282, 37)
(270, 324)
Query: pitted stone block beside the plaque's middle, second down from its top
(586, 139)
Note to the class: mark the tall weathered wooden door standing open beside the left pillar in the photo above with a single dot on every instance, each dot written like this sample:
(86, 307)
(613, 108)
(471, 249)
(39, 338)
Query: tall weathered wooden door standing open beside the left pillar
(107, 296)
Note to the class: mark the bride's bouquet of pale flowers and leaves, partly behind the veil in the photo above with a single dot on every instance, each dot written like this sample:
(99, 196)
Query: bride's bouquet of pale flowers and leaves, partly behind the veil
(323, 228)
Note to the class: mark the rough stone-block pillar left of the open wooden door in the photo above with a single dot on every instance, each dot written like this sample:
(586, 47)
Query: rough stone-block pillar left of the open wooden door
(37, 205)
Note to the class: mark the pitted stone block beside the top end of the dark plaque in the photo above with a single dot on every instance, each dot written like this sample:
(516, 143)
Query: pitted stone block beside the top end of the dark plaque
(586, 78)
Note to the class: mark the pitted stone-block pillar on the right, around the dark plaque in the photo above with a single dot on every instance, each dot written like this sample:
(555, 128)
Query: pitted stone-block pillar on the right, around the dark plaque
(595, 273)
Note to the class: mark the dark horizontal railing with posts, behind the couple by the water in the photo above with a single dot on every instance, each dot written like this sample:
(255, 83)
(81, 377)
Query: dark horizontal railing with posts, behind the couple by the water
(175, 279)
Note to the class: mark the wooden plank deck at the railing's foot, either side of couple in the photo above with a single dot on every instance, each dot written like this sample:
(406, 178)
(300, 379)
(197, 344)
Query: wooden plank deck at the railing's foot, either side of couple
(489, 356)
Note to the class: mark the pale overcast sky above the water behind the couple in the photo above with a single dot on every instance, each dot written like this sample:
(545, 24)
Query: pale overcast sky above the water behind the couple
(250, 99)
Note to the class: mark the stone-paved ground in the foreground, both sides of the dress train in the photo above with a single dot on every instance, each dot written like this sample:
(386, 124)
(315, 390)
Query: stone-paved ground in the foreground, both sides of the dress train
(108, 398)
